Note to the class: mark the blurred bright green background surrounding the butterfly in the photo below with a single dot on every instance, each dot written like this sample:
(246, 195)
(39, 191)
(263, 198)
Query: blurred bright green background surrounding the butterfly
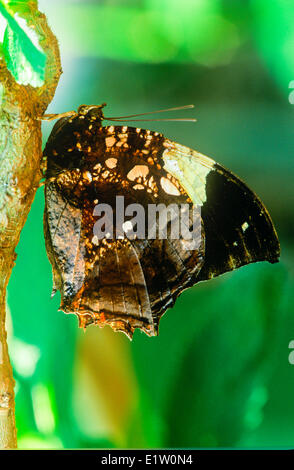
(219, 374)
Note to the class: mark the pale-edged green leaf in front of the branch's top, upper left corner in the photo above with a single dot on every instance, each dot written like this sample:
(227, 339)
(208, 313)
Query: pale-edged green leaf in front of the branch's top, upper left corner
(24, 56)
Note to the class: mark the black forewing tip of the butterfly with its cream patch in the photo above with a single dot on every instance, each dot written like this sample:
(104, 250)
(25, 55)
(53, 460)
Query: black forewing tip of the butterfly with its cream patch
(238, 228)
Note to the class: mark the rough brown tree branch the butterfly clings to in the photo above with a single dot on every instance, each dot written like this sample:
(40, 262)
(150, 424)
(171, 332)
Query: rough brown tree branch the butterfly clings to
(20, 156)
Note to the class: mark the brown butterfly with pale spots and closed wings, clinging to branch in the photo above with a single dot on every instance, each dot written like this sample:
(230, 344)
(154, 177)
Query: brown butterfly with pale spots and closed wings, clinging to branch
(129, 282)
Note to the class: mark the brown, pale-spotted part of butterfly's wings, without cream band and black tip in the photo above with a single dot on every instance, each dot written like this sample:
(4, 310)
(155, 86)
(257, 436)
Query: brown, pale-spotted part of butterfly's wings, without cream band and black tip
(125, 283)
